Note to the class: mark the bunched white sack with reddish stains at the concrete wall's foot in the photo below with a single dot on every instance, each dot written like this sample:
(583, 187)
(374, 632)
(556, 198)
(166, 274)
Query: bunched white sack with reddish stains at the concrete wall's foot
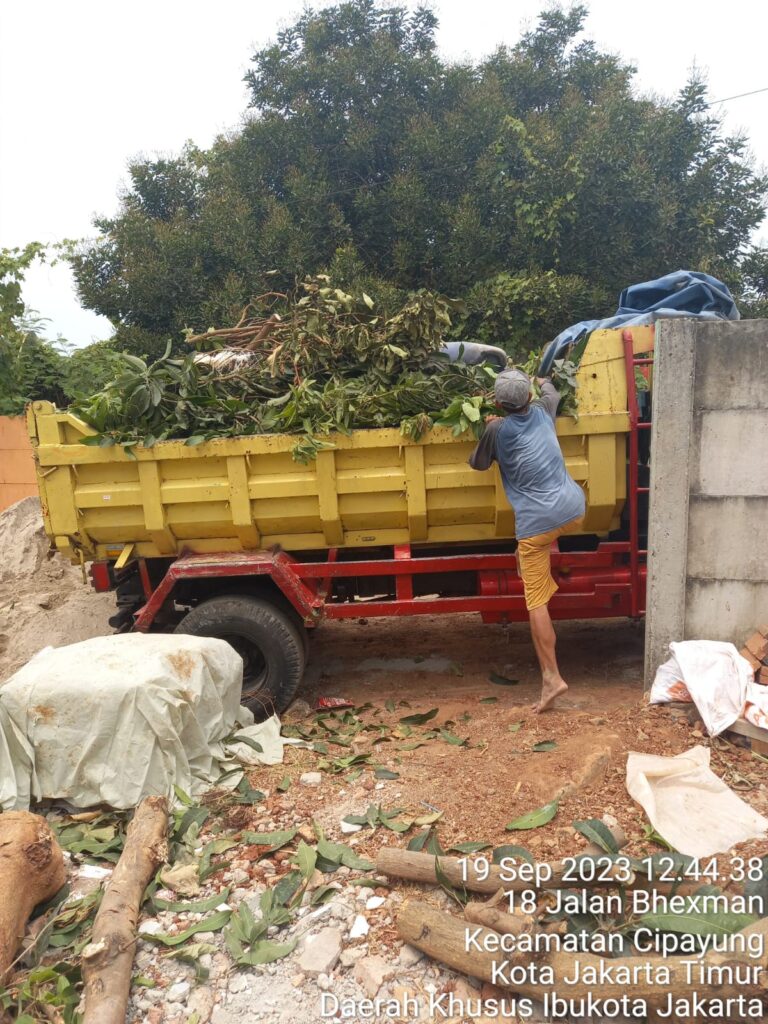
(713, 674)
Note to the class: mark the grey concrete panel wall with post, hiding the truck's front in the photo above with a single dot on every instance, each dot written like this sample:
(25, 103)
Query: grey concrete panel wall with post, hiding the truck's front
(708, 545)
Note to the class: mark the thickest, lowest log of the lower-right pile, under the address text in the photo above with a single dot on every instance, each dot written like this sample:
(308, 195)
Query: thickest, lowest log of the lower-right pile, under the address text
(444, 937)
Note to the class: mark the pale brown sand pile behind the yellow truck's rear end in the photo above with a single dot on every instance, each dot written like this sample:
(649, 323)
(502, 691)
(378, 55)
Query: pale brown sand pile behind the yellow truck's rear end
(44, 600)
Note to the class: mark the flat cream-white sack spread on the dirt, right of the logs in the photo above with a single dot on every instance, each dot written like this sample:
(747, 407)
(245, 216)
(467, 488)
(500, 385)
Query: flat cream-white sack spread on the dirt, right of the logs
(689, 805)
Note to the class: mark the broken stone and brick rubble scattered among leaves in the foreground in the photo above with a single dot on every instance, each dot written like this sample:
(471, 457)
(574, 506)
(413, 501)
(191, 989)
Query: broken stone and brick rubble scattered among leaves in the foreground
(348, 951)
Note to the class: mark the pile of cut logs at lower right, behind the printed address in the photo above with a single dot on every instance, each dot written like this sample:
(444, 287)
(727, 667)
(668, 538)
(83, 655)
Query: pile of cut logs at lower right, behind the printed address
(443, 936)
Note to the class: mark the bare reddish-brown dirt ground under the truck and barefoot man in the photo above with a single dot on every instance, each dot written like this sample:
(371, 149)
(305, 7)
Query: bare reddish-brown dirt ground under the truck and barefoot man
(447, 663)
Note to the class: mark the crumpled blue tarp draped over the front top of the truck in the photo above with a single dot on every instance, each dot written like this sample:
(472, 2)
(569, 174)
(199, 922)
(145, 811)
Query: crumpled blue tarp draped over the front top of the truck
(685, 293)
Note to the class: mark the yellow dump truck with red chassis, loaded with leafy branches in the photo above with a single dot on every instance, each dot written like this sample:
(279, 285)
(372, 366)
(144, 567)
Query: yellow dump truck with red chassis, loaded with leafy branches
(234, 538)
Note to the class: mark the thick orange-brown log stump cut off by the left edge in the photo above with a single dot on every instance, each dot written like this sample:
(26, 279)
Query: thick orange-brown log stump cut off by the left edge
(32, 870)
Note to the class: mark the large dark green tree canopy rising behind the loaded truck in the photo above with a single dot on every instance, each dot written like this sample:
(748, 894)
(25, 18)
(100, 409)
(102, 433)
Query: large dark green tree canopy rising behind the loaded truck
(535, 184)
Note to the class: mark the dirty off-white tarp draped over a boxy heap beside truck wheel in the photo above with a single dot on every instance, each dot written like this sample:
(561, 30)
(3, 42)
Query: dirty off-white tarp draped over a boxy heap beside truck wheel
(118, 718)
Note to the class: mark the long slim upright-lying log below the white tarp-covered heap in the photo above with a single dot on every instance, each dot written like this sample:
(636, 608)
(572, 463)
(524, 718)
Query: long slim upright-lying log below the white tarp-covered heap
(108, 960)
